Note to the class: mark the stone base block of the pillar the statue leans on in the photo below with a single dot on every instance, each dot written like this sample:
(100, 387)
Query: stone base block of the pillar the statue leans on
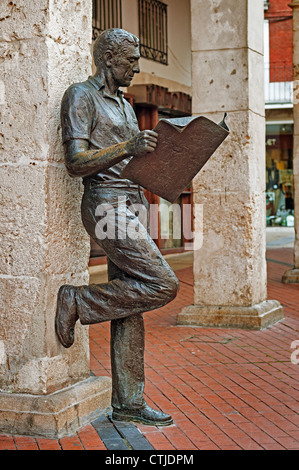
(56, 415)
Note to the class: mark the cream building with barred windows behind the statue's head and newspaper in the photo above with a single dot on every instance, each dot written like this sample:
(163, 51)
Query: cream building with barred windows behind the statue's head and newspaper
(161, 90)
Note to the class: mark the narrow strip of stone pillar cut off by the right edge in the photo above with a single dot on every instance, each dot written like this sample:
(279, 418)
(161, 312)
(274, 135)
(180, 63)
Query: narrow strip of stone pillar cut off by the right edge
(292, 275)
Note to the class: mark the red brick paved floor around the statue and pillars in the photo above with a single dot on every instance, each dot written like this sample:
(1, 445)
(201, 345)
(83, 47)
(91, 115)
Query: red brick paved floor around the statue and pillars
(225, 388)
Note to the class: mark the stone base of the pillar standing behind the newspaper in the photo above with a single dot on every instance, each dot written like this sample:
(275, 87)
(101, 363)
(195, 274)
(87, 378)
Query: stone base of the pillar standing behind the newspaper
(255, 317)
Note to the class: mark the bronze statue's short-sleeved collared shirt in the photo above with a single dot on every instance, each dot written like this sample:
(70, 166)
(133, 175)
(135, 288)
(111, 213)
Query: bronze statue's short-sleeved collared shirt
(89, 113)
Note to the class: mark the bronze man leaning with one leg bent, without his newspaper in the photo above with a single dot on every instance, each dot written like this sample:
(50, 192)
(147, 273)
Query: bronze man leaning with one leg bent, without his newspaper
(100, 136)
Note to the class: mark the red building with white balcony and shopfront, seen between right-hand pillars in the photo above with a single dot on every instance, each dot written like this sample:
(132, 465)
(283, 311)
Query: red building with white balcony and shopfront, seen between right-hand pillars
(279, 113)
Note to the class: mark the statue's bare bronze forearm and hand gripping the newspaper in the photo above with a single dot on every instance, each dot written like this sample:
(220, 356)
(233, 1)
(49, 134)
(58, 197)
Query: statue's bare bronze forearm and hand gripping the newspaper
(82, 161)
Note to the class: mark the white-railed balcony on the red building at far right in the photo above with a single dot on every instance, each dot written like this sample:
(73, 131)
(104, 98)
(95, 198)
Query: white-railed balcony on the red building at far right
(278, 85)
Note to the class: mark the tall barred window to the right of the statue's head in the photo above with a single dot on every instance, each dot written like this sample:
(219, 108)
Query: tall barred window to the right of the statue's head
(153, 30)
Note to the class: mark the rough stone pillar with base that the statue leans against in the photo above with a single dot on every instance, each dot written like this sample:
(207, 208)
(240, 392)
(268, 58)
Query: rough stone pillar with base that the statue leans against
(45, 390)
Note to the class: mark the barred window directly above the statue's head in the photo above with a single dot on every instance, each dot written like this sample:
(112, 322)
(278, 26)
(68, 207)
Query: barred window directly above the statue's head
(105, 14)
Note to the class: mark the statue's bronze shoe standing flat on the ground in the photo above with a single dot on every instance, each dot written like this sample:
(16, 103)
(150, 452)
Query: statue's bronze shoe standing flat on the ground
(144, 415)
